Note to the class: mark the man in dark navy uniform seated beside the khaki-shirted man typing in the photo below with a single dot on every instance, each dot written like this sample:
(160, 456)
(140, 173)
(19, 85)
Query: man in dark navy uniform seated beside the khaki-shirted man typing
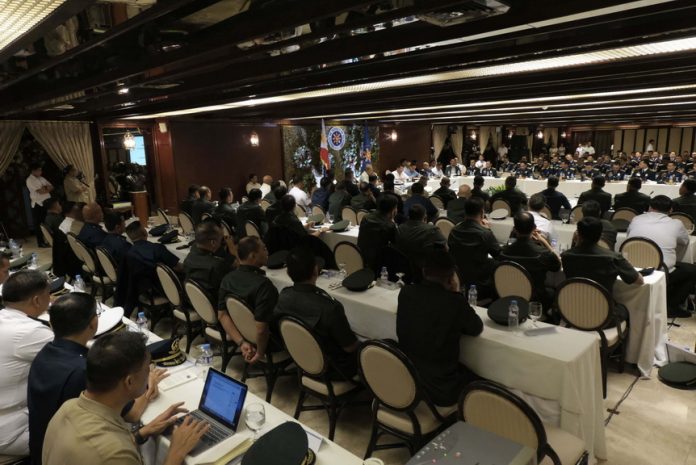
(58, 371)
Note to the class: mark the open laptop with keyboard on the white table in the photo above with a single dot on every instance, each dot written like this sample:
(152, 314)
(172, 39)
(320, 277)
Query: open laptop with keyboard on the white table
(220, 406)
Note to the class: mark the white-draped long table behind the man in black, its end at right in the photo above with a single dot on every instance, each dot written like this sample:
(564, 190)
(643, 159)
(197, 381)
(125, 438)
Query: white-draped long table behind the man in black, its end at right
(560, 373)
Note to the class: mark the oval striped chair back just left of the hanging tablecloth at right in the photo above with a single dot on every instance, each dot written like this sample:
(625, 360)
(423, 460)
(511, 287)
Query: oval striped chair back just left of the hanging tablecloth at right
(584, 303)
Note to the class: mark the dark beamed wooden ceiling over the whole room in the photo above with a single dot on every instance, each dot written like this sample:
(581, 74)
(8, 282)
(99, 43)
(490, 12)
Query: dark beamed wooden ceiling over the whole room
(183, 54)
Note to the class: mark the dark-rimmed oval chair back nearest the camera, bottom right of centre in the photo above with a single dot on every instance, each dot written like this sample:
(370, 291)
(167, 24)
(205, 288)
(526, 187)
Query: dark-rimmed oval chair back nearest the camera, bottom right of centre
(491, 407)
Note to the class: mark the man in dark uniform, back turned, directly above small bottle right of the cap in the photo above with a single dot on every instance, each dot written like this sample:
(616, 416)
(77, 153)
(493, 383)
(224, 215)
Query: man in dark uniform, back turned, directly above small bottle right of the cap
(377, 231)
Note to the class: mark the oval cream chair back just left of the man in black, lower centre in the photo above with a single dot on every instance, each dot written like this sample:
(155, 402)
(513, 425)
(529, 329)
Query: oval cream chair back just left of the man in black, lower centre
(388, 373)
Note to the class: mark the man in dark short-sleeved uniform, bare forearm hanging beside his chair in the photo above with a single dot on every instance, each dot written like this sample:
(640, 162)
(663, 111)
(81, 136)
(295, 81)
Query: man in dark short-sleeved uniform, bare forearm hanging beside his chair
(250, 284)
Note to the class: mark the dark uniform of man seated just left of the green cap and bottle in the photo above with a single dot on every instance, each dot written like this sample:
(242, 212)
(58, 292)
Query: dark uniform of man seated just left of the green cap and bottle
(326, 316)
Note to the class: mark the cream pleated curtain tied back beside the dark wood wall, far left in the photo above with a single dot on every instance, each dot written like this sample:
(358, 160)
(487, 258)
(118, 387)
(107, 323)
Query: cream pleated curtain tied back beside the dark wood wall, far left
(67, 143)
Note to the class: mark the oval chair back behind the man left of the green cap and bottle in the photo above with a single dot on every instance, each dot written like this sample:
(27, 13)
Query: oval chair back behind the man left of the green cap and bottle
(303, 346)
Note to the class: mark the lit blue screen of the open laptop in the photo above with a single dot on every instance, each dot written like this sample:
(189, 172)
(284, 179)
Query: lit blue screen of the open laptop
(223, 398)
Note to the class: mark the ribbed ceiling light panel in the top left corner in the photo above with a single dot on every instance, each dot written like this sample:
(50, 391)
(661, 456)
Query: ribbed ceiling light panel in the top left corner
(19, 16)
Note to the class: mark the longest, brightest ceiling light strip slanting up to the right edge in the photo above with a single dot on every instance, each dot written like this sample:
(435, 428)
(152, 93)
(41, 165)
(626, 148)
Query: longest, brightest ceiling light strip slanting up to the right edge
(542, 64)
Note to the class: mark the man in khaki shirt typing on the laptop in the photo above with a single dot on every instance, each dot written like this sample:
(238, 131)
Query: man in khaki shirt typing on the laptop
(90, 429)
